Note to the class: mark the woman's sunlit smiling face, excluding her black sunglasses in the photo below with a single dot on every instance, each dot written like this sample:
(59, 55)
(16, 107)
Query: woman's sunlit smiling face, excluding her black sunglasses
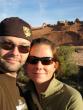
(39, 72)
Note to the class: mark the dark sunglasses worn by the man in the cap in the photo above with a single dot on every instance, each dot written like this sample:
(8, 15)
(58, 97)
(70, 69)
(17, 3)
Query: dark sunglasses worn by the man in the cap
(10, 46)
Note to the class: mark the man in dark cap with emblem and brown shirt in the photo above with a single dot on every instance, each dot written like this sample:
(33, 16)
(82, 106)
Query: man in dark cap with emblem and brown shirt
(15, 36)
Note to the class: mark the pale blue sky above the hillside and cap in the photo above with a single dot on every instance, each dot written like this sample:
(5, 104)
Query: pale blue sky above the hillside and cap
(37, 12)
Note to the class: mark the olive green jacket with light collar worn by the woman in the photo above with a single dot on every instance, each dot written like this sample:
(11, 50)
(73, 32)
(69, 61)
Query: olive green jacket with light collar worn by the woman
(58, 96)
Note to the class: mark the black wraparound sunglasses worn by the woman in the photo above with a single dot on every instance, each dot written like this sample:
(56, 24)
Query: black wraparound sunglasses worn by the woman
(44, 60)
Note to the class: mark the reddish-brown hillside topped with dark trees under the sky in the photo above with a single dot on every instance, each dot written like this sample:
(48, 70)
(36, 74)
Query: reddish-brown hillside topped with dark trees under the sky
(63, 33)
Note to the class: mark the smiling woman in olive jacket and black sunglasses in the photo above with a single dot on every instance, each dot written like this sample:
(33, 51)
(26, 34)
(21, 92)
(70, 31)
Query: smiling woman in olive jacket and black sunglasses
(46, 92)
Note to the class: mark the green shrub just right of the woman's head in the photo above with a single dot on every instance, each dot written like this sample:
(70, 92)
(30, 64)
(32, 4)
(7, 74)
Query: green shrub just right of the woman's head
(67, 64)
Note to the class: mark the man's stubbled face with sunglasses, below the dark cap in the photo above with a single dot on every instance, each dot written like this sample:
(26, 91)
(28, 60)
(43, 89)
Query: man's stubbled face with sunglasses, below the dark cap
(13, 52)
